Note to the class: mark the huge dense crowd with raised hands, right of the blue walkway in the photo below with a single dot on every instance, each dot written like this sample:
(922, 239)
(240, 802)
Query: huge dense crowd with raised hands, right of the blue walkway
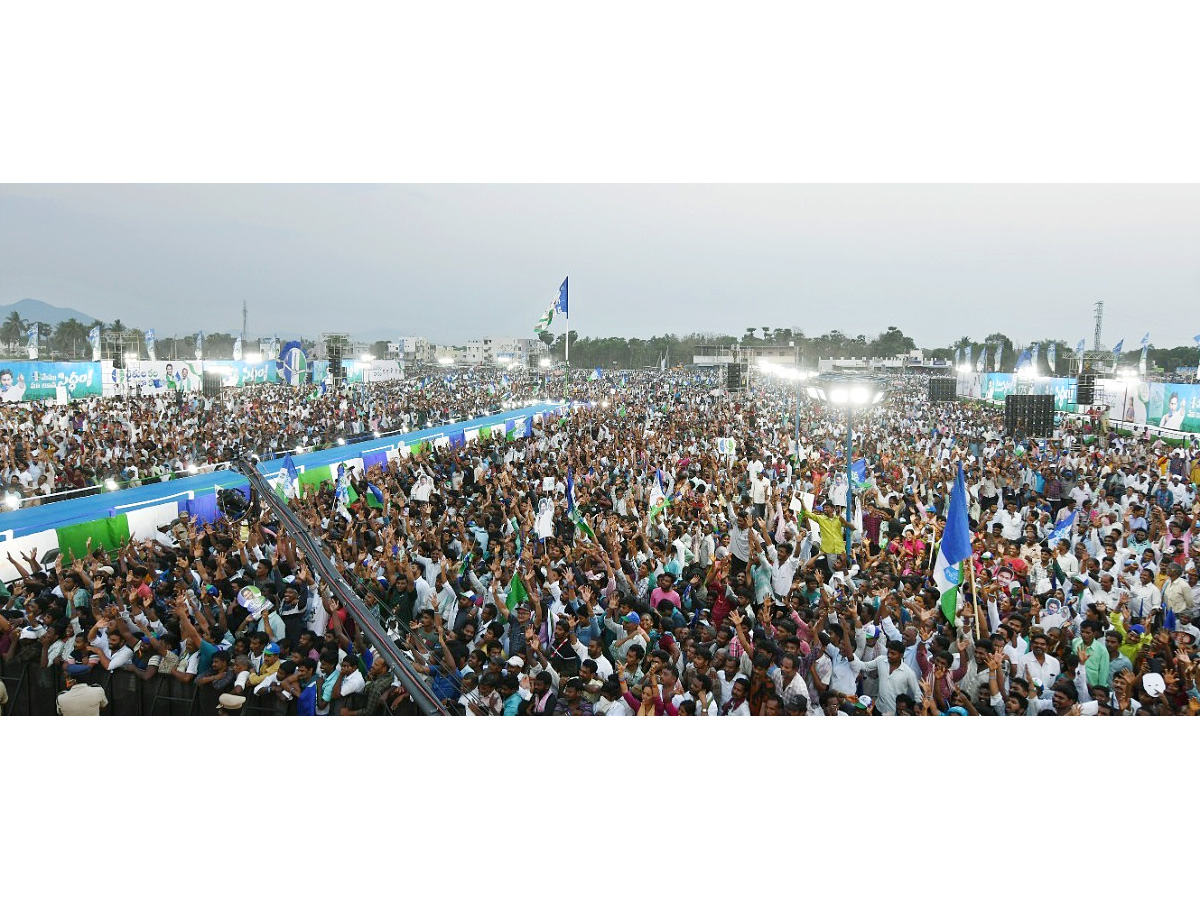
(671, 550)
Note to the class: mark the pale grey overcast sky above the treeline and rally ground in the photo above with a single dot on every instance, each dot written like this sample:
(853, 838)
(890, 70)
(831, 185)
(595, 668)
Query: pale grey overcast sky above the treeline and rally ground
(460, 262)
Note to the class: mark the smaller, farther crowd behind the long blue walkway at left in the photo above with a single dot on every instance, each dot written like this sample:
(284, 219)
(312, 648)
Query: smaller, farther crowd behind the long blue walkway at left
(92, 442)
